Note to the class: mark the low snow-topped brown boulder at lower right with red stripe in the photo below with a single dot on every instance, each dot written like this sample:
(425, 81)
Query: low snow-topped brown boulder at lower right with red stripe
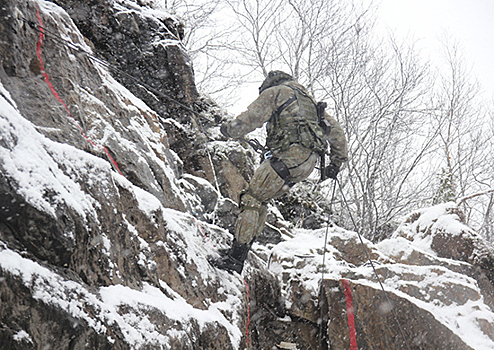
(431, 299)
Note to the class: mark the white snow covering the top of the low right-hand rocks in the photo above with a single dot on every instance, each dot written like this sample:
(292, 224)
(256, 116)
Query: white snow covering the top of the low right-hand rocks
(463, 311)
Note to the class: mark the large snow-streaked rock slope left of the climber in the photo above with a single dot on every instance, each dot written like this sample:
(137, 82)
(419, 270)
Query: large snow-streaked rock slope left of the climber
(99, 243)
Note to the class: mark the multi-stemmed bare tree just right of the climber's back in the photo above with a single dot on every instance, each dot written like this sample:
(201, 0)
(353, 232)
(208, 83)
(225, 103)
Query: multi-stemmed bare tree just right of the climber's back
(379, 95)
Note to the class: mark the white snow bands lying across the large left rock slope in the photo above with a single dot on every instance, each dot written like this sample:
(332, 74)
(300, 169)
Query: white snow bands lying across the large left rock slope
(39, 166)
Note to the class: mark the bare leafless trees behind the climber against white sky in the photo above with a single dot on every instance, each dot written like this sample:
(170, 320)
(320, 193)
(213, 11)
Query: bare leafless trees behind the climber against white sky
(398, 130)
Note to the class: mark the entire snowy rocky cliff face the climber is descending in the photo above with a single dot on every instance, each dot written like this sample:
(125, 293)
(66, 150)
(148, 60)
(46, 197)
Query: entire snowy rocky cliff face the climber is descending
(112, 196)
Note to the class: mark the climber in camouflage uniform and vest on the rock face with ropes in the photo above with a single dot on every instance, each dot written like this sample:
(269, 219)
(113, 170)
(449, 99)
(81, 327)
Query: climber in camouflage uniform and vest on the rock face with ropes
(295, 140)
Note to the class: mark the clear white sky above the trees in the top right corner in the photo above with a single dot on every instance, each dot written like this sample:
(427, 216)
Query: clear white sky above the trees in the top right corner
(469, 22)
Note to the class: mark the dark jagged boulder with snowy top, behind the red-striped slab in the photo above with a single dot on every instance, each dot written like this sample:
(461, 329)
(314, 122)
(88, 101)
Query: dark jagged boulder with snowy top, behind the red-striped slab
(142, 45)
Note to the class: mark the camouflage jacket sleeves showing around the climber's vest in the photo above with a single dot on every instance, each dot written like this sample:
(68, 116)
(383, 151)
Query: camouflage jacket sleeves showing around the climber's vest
(261, 110)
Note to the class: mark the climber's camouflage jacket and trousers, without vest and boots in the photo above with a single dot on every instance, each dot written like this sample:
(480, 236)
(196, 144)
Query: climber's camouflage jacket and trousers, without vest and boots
(266, 183)
